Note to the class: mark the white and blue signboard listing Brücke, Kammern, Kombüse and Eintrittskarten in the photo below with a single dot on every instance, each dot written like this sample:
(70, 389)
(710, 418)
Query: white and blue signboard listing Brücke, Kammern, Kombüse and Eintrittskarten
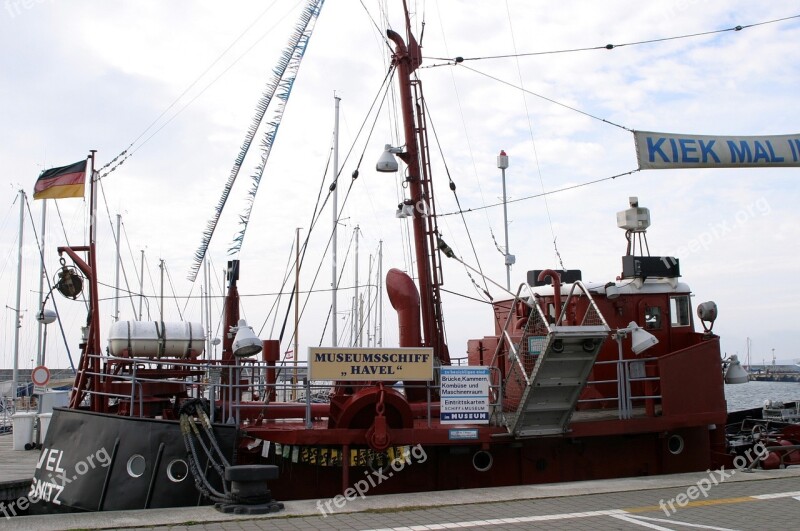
(464, 395)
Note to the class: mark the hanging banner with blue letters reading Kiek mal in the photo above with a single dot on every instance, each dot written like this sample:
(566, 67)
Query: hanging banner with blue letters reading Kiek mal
(656, 151)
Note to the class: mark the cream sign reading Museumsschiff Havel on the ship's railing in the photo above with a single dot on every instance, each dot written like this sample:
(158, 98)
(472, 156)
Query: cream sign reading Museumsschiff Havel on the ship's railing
(370, 364)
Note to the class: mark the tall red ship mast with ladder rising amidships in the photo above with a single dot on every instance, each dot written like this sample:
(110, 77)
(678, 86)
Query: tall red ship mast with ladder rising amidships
(406, 59)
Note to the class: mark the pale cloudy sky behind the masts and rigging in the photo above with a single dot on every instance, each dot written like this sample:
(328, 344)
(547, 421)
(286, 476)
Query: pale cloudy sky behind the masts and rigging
(179, 81)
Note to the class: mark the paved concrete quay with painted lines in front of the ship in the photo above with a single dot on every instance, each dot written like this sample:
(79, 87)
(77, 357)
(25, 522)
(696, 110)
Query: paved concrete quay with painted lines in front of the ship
(723, 501)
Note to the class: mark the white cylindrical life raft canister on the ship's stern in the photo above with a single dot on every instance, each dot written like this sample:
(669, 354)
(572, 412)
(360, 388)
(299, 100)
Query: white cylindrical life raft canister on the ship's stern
(156, 339)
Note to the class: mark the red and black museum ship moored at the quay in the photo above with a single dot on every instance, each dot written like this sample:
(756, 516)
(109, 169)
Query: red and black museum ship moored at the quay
(577, 381)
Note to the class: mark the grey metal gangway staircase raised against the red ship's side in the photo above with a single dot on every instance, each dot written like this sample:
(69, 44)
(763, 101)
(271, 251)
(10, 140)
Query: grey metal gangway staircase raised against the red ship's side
(549, 366)
